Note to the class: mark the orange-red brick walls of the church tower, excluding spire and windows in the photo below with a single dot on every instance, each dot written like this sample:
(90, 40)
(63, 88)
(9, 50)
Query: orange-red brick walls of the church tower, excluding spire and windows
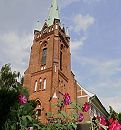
(57, 80)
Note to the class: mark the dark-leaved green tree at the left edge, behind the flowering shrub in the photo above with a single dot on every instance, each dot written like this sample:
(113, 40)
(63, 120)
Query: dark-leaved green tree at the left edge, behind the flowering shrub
(8, 92)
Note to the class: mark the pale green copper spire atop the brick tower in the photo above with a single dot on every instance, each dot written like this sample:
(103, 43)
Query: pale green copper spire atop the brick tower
(53, 13)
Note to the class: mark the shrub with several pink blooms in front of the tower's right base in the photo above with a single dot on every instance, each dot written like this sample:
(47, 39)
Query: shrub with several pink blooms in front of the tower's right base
(66, 117)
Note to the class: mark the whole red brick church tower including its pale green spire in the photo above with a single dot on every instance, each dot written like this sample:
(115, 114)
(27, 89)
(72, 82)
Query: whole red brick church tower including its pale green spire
(49, 74)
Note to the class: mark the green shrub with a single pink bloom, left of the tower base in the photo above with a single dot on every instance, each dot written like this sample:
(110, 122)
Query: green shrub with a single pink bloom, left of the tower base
(22, 115)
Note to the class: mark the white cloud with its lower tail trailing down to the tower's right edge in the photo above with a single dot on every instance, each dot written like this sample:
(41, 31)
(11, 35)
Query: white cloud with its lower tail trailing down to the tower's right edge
(81, 23)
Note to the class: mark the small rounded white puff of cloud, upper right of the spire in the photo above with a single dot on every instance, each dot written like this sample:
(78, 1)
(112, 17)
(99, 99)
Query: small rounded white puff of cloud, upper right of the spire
(83, 22)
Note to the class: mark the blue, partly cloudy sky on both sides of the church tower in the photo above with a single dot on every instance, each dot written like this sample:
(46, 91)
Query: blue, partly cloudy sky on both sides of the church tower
(95, 31)
